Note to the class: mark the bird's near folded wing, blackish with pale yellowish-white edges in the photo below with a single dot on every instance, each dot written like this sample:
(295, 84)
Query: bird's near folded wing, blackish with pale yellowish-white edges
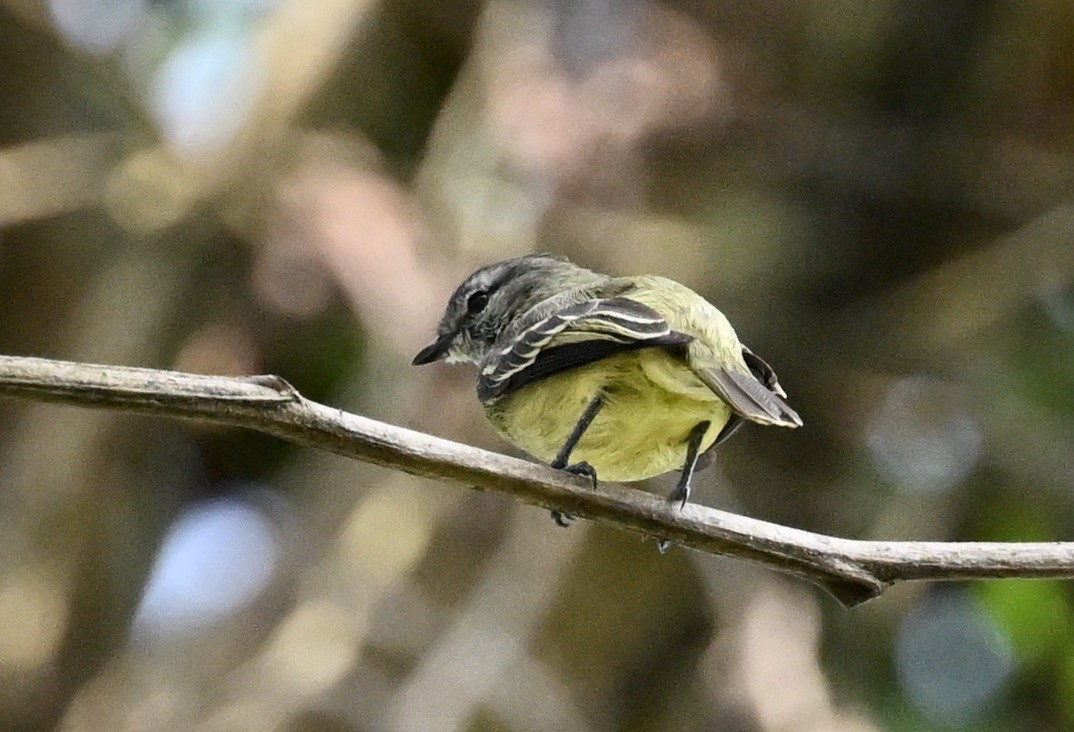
(575, 336)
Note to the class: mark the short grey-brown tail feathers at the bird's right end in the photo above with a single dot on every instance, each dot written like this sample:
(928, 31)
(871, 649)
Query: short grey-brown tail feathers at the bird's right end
(757, 399)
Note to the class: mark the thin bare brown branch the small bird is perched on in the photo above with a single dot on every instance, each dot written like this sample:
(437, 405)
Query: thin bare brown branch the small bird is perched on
(854, 572)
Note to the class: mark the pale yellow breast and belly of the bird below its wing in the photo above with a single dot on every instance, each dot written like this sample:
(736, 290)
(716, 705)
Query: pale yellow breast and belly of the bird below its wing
(652, 402)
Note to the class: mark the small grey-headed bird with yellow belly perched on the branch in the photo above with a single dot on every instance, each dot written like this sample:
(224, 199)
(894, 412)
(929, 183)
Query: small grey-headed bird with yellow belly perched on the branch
(619, 377)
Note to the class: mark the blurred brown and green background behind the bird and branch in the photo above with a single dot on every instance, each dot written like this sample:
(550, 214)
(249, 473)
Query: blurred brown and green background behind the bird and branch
(878, 195)
